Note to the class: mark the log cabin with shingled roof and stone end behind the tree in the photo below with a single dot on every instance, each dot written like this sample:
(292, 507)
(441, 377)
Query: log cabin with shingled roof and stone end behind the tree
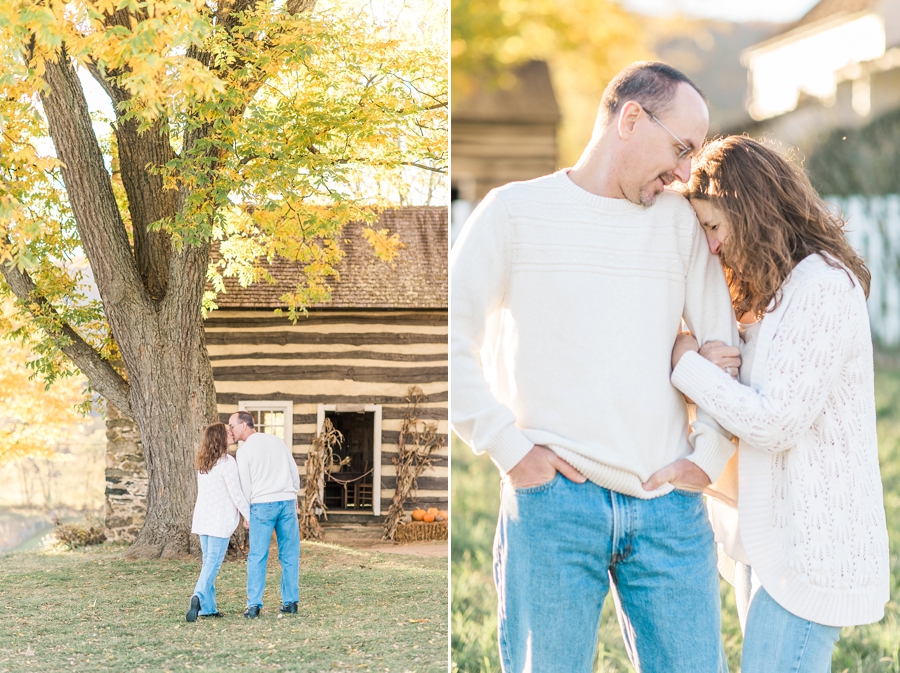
(352, 360)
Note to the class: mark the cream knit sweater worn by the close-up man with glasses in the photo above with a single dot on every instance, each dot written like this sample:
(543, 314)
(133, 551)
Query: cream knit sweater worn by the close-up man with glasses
(564, 310)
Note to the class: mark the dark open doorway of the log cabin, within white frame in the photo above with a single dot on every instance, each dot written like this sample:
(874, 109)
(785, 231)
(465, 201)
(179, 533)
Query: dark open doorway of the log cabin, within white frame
(350, 487)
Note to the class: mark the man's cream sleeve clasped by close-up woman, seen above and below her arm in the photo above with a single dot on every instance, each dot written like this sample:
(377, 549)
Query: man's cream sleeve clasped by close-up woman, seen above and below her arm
(709, 316)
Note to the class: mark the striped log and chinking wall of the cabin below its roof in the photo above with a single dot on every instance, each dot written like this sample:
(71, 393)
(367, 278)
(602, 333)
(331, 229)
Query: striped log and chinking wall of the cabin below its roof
(347, 359)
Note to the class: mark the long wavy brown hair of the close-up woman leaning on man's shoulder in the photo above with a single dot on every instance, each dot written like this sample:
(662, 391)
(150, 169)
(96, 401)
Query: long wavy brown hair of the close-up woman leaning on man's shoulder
(776, 217)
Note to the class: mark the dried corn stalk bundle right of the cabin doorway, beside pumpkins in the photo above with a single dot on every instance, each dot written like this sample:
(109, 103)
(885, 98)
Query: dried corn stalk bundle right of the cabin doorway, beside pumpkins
(418, 440)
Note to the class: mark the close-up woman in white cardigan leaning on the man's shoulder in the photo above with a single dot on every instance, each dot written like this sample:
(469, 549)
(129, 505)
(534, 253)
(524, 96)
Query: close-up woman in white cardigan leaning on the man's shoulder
(799, 510)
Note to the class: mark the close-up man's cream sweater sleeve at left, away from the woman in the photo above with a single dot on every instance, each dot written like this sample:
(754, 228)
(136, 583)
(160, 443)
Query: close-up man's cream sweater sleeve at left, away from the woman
(479, 272)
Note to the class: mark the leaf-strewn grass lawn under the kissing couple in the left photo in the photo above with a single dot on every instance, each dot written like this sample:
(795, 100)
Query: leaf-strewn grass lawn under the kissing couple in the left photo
(91, 610)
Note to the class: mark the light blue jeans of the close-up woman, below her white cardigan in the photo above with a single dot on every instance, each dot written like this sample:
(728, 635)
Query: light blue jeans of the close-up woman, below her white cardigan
(776, 640)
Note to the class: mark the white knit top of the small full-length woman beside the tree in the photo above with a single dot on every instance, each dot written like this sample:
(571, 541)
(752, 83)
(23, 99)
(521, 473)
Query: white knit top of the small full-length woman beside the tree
(219, 499)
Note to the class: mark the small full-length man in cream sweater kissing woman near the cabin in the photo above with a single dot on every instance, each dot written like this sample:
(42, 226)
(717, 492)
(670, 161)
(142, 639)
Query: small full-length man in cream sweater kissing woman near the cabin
(270, 482)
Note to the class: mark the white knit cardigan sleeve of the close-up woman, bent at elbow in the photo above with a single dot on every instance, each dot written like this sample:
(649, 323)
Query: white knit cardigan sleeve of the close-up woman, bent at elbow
(803, 362)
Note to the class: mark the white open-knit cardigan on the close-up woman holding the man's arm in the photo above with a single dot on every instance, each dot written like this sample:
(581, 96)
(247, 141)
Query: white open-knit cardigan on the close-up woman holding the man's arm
(810, 497)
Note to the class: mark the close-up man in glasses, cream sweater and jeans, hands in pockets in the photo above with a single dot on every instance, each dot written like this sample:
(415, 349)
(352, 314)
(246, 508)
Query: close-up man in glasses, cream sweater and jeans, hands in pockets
(567, 293)
